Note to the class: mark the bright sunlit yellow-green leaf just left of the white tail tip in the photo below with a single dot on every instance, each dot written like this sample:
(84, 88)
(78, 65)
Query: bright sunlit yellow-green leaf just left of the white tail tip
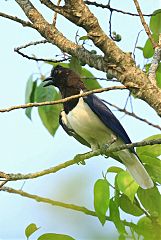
(127, 184)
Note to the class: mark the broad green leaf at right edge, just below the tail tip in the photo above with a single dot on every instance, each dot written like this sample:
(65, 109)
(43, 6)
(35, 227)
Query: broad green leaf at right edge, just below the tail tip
(151, 201)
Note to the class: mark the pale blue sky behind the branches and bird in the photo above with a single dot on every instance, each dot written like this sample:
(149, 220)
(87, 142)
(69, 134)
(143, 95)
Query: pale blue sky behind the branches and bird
(26, 146)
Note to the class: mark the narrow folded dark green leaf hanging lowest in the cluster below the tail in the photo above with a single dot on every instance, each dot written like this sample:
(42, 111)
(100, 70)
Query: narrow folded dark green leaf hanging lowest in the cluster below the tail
(115, 216)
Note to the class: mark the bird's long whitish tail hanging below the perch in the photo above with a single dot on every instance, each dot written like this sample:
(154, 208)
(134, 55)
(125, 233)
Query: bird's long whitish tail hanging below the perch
(136, 169)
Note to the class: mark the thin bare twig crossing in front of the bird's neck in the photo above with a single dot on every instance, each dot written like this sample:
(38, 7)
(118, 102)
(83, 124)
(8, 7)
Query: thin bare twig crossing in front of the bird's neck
(100, 90)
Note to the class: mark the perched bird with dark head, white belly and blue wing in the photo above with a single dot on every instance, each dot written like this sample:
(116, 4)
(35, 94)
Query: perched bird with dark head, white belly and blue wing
(92, 123)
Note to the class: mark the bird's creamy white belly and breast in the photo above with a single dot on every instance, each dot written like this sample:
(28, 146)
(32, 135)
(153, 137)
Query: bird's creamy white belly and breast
(87, 124)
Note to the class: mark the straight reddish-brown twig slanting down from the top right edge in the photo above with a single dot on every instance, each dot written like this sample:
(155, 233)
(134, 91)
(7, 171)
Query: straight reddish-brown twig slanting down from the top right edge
(147, 30)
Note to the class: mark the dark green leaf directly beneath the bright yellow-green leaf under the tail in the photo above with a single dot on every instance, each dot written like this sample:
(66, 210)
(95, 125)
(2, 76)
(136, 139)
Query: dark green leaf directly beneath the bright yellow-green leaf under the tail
(127, 206)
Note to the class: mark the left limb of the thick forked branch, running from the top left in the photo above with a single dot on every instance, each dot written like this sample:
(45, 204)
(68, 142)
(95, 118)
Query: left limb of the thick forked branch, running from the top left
(51, 33)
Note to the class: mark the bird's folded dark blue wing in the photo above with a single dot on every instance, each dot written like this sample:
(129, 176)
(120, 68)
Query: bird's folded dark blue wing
(107, 117)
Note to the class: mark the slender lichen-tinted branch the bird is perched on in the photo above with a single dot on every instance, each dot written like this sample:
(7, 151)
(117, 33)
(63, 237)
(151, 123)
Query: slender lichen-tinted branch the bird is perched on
(77, 159)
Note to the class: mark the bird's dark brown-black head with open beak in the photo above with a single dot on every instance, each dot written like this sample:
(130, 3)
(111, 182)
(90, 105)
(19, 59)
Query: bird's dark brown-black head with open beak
(64, 78)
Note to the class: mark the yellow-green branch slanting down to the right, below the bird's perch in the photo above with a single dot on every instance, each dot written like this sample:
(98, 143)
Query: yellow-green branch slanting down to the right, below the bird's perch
(58, 204)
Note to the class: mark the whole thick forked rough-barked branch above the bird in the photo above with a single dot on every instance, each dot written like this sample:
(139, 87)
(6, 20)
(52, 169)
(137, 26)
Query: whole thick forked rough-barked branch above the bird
(123, 66)
